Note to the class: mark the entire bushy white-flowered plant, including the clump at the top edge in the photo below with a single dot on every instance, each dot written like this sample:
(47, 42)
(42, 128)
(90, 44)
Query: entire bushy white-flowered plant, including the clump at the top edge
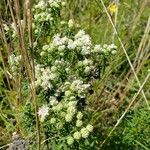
(66, 63)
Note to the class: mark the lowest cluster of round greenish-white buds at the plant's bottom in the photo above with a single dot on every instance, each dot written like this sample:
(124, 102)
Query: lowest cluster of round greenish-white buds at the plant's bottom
(66, 113)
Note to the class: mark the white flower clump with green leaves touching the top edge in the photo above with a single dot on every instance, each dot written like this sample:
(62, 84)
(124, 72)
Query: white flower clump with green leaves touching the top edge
(46, 16)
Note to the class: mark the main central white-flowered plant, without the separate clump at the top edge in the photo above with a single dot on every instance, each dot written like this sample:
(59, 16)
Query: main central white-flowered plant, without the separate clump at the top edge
(69, 65)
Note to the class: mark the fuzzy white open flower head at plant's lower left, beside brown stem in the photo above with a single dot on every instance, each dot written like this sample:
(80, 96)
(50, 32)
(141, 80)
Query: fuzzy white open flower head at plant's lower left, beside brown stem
(43, 112)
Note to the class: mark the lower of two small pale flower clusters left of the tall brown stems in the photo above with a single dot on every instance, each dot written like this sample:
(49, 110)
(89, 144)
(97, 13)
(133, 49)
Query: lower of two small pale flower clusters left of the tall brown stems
(14, 63)
